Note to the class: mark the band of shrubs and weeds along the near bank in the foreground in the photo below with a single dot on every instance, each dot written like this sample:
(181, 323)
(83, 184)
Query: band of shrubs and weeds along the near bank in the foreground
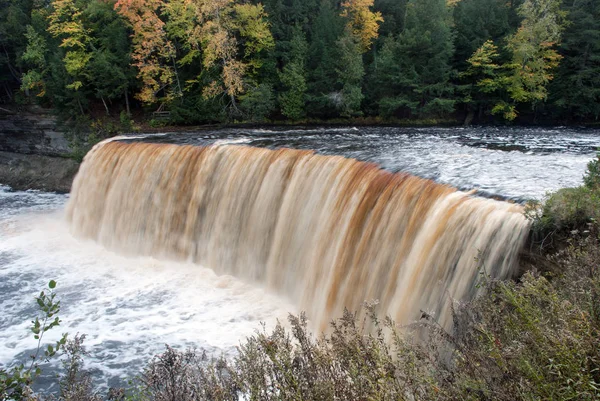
(534, 339)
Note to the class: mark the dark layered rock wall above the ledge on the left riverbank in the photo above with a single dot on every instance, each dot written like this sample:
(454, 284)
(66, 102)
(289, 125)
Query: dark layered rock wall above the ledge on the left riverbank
(31, 134)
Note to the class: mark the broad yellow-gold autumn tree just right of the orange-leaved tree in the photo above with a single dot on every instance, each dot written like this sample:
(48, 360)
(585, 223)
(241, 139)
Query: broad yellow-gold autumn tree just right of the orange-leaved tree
(229, 39)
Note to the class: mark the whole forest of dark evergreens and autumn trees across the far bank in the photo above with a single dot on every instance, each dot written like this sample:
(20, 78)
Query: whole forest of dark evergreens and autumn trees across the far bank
(223, 60)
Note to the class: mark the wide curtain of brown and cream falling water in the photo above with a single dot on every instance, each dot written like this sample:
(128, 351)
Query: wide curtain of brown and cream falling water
(327, 232)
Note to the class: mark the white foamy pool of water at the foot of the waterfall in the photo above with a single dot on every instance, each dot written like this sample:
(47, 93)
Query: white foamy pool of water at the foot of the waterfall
(128, 307)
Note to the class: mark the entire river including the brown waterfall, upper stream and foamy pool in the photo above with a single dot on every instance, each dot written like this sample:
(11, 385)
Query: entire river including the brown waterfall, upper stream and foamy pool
(196, 246)
